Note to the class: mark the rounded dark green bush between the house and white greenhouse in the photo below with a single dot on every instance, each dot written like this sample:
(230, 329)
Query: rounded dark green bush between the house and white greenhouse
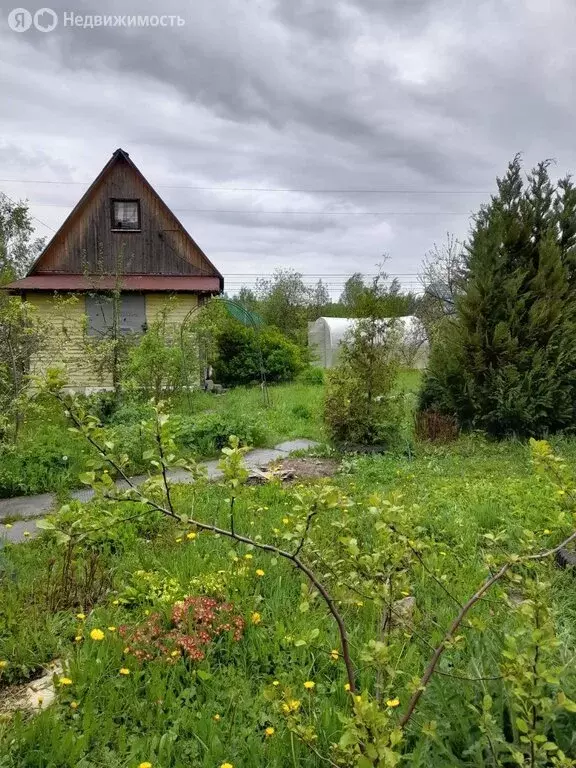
(243, 351)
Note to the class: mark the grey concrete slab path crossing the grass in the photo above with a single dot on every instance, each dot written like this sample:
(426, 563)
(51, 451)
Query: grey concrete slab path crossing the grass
(25, 510)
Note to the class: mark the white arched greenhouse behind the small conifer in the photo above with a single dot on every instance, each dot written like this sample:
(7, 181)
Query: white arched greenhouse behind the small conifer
(327, 333)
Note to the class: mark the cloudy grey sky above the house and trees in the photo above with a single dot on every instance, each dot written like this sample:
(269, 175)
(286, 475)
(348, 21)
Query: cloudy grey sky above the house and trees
(316, 135)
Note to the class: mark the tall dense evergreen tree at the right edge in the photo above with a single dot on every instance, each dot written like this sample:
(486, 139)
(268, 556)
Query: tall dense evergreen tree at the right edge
(506, 361)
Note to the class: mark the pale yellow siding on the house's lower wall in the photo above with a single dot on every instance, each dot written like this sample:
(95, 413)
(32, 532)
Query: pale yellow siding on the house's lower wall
(65, 348)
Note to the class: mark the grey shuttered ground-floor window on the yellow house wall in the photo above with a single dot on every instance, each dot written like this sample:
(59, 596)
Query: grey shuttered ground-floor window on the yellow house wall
(100, 313)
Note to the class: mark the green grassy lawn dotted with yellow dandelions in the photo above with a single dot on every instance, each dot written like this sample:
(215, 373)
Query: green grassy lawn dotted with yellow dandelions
(456, 505)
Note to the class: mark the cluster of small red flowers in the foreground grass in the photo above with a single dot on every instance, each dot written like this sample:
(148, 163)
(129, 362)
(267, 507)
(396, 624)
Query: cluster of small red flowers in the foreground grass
(194, 624)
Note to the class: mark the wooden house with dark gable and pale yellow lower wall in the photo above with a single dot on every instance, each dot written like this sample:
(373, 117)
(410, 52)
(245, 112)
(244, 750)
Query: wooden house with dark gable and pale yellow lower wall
(120, 239)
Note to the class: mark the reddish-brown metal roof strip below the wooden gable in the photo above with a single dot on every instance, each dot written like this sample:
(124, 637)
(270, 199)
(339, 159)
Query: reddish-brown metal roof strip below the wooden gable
(46, 282)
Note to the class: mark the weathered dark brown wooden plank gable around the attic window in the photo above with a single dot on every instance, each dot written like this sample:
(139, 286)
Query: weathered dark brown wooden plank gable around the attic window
(87, 242)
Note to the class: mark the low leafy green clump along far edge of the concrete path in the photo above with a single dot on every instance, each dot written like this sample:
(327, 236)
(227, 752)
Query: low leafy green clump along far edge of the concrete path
(209, 432)
